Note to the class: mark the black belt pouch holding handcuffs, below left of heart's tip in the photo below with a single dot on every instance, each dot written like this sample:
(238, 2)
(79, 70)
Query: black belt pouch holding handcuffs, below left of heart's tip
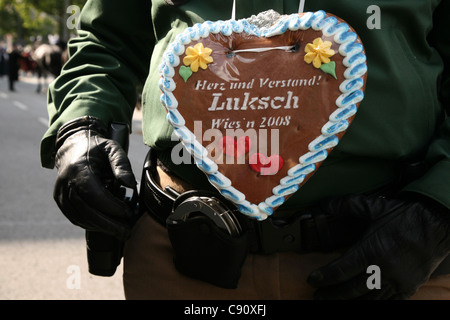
(203, 251)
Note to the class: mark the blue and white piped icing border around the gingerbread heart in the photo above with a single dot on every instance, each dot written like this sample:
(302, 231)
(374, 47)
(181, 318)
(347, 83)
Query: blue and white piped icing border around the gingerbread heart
(354, 61)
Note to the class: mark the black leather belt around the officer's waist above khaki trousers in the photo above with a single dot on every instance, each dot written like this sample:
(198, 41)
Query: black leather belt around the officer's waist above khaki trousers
(307, 231)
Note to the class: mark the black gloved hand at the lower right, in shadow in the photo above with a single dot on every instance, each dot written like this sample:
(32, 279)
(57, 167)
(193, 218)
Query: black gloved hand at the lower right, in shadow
(406, 238)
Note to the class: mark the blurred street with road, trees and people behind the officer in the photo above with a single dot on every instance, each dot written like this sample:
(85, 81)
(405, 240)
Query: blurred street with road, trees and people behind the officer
(42, 255)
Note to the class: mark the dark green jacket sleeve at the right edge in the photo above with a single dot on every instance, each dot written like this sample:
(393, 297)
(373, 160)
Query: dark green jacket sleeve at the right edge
(436, 182)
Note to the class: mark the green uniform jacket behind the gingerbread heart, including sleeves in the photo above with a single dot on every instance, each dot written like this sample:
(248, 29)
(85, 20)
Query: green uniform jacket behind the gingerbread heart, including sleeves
(401, 119)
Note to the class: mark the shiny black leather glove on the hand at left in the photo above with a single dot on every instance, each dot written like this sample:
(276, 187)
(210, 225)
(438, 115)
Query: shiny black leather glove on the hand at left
(87, 164)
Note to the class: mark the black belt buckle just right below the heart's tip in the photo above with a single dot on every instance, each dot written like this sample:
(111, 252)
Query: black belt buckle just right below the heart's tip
(279, 235)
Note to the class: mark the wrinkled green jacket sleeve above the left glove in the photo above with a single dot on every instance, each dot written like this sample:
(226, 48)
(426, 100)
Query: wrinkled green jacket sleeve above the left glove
(109, 60)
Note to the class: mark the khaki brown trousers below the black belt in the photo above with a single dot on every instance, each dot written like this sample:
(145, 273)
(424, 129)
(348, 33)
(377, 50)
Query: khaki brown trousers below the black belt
(149, 273)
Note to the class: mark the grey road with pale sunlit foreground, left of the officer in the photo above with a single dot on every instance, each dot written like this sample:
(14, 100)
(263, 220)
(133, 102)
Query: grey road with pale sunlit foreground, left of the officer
(42, 255)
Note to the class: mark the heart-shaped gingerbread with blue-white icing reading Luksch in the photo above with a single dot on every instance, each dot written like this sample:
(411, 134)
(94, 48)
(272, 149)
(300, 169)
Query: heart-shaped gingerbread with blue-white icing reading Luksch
(260, 107)
